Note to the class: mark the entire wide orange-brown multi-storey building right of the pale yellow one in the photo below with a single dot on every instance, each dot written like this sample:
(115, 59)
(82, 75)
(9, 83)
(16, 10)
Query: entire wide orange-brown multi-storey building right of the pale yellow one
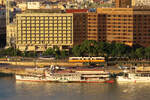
(122, 25)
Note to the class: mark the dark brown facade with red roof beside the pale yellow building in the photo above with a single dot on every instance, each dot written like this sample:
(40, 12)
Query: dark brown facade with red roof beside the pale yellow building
(80, 24)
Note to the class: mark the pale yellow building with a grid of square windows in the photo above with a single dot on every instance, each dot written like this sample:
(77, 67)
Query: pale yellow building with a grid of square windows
(39, 31)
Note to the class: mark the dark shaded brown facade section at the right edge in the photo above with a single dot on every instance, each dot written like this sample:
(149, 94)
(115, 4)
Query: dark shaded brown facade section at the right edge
(141, 27)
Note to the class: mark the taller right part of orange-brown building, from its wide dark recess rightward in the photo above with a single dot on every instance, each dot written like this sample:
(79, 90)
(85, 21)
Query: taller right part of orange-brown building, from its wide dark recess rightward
(125, 25)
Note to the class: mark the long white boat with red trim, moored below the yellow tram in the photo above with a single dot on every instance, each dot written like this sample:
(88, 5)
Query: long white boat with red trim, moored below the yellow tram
(81, 76)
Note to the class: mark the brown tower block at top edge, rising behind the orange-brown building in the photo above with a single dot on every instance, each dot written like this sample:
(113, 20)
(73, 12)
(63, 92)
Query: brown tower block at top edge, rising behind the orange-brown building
(123, 3)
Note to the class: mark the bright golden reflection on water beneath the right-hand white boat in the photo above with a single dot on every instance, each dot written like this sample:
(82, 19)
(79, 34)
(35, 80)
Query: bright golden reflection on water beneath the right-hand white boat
(134, 91)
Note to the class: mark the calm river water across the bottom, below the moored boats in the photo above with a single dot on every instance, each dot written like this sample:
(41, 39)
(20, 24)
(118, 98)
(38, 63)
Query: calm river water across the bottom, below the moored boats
(12, 90)
